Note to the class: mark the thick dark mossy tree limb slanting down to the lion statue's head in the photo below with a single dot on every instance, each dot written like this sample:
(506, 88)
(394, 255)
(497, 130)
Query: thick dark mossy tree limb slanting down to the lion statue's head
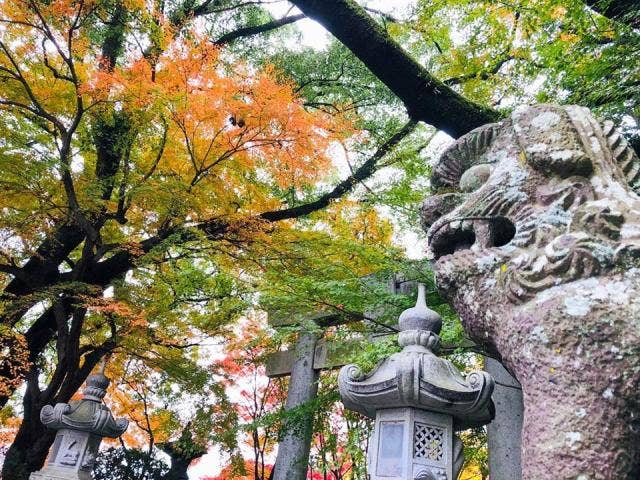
(426, 98)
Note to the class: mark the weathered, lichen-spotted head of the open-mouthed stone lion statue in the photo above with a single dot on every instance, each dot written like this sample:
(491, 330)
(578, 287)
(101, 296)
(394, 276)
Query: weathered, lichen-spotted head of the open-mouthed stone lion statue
(541, 199)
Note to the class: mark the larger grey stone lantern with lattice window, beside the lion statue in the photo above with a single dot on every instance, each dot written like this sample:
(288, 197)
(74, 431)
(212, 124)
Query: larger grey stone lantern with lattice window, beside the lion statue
(418, 401)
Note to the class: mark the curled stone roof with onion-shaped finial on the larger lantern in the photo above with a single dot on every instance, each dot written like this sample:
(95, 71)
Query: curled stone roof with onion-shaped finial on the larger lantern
(416, 377)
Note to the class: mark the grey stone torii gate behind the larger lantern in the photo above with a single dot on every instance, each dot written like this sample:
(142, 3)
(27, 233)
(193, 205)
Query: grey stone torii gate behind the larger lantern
(311, 354)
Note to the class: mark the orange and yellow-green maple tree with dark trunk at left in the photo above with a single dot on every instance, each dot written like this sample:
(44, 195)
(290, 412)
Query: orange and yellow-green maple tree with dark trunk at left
(140, 156)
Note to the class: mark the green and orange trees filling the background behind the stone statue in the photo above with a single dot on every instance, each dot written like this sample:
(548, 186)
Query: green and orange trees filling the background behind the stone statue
(169, 170)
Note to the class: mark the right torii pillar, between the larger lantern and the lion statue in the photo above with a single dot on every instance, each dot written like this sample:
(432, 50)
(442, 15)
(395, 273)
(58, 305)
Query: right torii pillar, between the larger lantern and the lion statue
(505, 432)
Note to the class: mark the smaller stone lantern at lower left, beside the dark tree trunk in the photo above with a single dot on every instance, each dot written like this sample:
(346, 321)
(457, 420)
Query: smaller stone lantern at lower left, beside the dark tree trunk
(81, 426)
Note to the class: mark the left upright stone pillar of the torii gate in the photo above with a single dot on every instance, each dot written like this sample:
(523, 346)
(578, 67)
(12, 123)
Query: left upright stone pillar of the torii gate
(293, 450)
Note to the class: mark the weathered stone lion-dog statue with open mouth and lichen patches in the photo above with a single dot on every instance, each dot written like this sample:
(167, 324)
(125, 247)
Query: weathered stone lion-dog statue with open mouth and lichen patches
(534, 231)
